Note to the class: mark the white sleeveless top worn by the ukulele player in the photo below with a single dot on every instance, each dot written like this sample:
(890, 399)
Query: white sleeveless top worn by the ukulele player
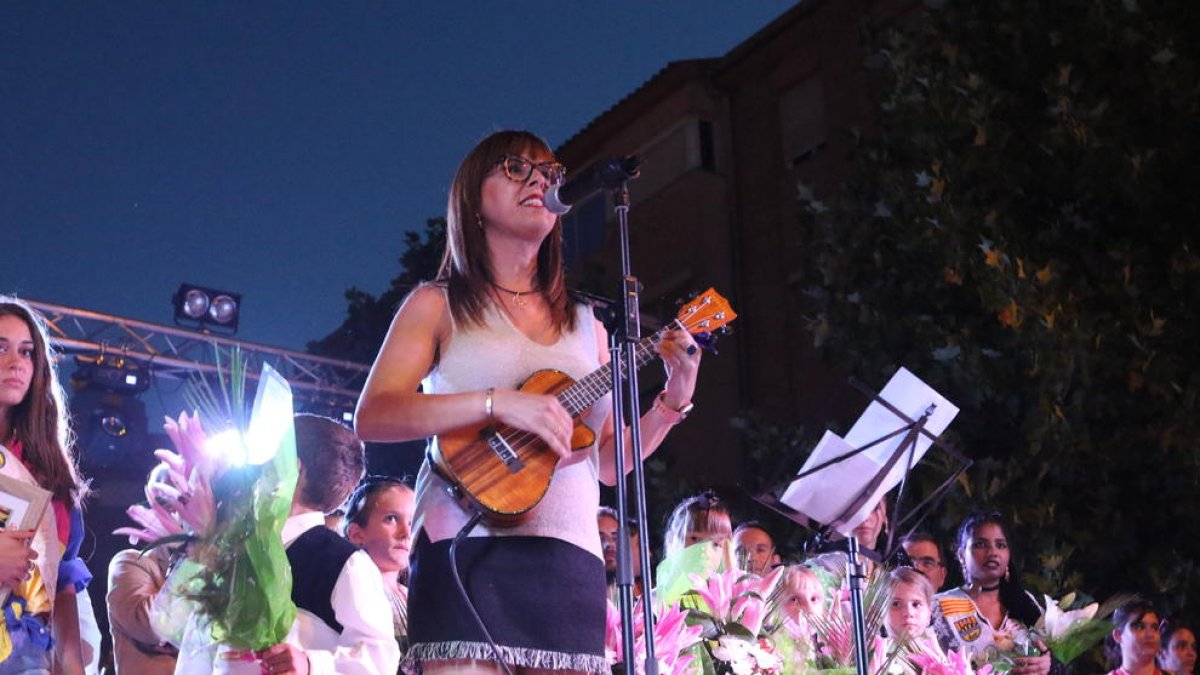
(499, 355)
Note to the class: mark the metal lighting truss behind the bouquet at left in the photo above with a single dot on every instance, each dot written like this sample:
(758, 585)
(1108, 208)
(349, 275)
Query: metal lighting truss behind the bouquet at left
(176, 354)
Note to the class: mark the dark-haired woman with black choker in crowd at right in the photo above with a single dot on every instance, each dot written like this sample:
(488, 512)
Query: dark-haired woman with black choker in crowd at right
(991, 613)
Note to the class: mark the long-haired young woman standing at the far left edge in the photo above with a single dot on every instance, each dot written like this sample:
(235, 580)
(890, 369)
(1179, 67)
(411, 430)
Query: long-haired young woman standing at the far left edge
(40, 568)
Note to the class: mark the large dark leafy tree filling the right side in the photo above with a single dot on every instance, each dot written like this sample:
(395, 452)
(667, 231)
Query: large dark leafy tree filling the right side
(1021, 232)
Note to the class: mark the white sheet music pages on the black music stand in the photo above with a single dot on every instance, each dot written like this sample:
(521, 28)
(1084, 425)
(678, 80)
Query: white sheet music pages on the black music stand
(825, 495)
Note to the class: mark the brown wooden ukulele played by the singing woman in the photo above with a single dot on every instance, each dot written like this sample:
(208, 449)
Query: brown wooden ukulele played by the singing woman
(503, 473)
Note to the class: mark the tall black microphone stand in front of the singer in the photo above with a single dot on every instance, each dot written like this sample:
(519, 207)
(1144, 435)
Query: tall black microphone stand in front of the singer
(623, 337)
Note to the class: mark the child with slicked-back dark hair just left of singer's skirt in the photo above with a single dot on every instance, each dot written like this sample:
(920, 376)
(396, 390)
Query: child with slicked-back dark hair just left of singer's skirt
(380, 521)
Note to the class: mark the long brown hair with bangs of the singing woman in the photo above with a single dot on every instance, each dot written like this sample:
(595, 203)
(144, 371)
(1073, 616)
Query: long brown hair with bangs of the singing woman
(465, 266)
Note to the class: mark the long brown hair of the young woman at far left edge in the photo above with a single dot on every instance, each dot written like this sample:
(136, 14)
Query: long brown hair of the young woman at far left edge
(40, 421)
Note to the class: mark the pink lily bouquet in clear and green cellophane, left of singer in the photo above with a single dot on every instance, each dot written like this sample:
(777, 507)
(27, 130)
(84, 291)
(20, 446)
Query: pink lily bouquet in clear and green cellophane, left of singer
(239, 578)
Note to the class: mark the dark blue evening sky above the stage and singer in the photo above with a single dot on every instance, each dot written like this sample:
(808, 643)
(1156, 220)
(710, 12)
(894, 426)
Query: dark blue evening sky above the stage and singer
(281, 150)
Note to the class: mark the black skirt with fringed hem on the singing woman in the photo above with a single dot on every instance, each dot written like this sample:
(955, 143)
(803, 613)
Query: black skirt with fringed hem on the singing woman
(543, 601)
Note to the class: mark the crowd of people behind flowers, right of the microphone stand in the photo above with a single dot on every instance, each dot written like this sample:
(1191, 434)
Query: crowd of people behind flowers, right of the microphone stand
(988, 616)
